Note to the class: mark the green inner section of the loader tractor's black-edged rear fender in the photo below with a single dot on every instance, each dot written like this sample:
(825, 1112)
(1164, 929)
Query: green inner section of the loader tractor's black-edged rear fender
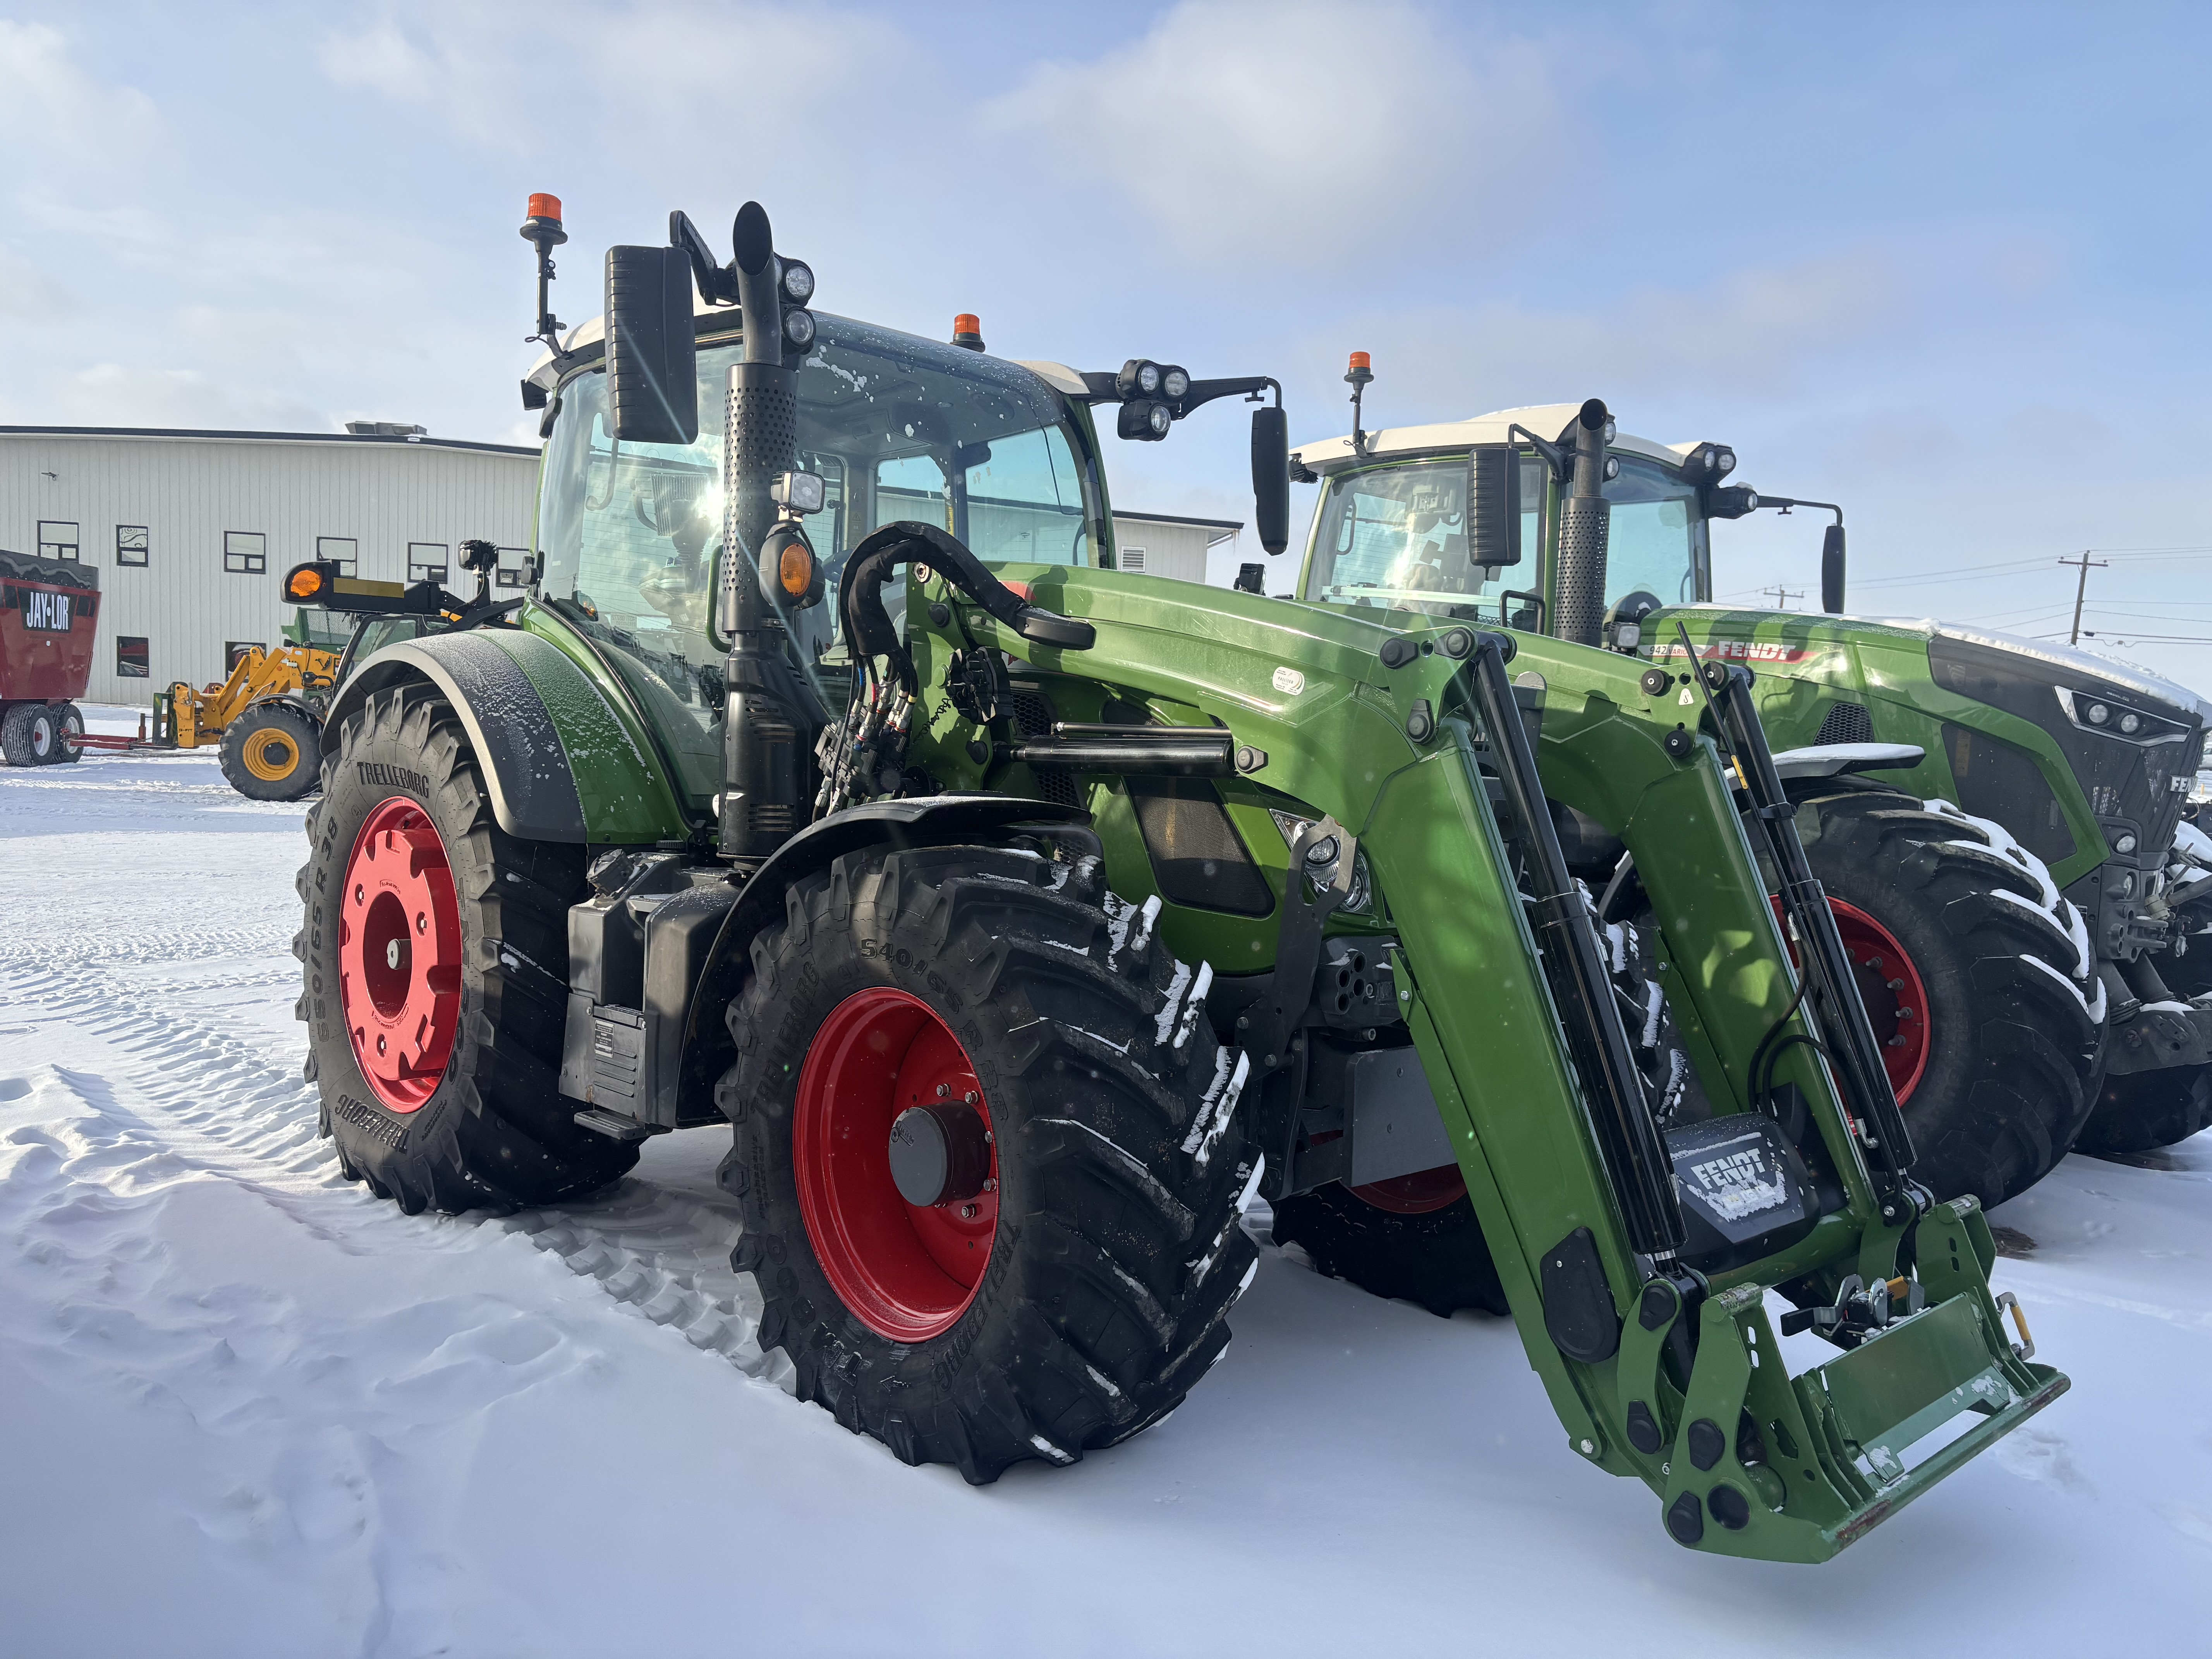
(618, 771)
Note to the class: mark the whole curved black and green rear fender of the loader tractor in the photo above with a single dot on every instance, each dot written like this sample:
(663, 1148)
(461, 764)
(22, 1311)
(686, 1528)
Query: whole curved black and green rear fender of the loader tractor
(532, 716)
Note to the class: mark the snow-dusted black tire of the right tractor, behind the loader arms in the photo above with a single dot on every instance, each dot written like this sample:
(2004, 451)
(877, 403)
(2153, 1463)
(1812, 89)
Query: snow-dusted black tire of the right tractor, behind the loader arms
(2016, 1021)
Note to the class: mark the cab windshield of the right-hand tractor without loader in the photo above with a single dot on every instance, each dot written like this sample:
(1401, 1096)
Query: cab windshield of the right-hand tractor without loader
(1397, 539)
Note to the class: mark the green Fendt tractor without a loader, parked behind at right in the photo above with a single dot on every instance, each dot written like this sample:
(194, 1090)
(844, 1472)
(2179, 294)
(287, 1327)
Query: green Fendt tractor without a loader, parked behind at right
(1999, 822)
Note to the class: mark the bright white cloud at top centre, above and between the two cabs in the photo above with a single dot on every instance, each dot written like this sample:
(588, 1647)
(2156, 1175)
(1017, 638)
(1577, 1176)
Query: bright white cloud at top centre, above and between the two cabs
(1311, 132)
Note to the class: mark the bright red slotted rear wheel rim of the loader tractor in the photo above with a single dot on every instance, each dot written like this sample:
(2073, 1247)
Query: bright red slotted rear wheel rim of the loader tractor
(399, 954)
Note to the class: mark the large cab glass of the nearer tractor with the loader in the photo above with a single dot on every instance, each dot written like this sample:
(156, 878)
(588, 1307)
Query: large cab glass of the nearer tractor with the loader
(897, 426)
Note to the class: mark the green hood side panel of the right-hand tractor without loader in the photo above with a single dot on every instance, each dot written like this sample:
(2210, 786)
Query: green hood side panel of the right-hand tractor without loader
(1802, 662)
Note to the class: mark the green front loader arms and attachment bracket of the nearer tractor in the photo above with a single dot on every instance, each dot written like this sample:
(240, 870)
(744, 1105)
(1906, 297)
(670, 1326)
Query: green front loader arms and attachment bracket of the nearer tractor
(1306, 685)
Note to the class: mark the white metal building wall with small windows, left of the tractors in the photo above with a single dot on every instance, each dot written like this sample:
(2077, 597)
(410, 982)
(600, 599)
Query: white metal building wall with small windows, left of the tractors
(194, 530)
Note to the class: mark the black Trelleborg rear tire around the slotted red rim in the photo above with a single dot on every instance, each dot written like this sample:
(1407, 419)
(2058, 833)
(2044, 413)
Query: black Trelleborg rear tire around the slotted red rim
(494, 1129)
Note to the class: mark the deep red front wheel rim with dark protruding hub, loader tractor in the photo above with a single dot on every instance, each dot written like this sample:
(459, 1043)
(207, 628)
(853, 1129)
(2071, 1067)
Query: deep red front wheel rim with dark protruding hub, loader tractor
(904, 1271)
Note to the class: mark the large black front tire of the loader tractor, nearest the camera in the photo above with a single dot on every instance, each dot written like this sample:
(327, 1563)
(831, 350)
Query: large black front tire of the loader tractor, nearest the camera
(1120, 1156)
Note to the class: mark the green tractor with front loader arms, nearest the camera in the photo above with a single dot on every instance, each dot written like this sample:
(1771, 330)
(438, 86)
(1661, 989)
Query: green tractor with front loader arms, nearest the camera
(1021, 919)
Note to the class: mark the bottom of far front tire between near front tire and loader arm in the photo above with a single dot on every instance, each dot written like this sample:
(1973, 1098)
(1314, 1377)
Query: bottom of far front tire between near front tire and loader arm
(1437, 1260)
